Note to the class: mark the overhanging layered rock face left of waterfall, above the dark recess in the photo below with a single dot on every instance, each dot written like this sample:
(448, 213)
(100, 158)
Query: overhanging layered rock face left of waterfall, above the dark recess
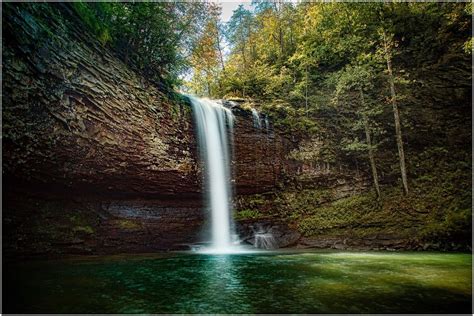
(77, 118)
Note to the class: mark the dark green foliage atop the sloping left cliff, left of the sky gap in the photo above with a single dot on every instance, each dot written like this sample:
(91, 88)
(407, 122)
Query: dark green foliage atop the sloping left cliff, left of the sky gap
(149, 36)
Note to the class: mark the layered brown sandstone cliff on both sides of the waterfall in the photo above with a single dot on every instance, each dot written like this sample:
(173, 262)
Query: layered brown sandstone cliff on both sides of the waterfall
(96, 159)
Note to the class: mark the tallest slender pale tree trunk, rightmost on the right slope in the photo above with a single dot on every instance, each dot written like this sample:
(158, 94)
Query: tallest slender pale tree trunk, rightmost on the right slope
(396, 114)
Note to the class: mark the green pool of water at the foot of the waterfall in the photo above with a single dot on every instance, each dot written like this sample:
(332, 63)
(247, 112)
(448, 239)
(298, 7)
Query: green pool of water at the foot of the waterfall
(279, 282)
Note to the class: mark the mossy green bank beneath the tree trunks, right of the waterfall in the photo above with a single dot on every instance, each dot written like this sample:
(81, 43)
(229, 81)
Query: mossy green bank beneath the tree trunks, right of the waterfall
(438, 210)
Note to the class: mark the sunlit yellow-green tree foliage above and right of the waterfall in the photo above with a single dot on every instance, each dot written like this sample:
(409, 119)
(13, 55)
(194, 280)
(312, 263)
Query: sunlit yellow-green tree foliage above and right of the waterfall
(306, 64)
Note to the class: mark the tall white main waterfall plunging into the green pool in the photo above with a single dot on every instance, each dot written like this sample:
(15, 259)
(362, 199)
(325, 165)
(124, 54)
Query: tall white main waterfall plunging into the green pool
(214, 123)
